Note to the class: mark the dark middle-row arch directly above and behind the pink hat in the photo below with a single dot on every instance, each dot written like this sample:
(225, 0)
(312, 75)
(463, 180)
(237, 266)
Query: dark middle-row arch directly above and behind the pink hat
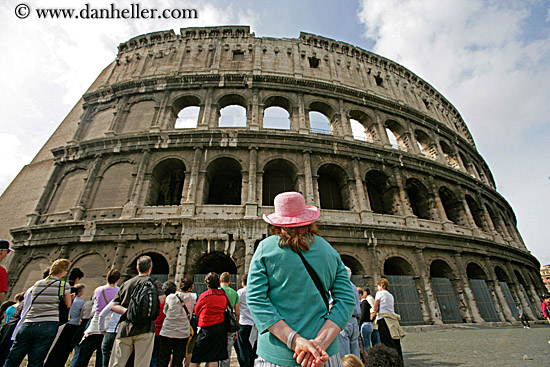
(279, 175)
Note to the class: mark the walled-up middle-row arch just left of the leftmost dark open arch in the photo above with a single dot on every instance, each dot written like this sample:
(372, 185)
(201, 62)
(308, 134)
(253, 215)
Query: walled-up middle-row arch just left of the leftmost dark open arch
(117, 185)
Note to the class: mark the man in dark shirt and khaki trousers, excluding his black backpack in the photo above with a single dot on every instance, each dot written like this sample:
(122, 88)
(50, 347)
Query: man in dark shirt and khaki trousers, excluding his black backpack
(134, 337)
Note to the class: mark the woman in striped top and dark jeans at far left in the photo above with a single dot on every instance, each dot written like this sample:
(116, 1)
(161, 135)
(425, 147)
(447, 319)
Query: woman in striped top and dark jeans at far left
(36, 331)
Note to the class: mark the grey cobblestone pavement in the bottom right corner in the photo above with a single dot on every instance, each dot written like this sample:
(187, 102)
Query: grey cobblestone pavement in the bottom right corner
(471, 345)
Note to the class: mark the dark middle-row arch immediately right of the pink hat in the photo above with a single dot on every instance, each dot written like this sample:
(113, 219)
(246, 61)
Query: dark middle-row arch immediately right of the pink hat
(333, 187)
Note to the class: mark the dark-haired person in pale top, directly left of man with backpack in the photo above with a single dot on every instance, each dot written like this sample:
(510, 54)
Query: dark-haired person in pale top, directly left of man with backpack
(93, 337)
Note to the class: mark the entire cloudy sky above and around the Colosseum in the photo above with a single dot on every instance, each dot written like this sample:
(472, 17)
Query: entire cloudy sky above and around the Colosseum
(490, 59)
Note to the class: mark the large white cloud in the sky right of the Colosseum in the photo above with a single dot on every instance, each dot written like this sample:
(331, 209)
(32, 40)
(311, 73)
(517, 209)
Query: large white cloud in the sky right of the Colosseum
(478, 55)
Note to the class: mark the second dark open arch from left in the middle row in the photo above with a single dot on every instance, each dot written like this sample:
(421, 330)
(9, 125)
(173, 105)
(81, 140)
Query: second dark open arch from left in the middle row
(223, 181)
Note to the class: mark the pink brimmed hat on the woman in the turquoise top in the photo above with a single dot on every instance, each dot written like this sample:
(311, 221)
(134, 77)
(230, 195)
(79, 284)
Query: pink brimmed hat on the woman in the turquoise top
(291, 211)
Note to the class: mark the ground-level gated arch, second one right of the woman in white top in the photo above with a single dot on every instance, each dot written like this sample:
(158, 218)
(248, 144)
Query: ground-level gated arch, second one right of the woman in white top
(447, 290)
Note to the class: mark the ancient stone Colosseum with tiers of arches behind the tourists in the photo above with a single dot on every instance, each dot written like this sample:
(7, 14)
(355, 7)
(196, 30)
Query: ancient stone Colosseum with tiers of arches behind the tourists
(182, 142)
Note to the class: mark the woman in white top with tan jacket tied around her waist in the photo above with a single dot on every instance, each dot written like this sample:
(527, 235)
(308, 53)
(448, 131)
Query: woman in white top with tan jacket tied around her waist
(388, 321)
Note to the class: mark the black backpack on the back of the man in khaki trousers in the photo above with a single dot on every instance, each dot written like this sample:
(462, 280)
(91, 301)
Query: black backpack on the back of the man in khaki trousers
(144, 303)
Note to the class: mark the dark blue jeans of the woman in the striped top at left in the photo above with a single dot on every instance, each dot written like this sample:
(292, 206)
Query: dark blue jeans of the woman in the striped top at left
(34, 338)
